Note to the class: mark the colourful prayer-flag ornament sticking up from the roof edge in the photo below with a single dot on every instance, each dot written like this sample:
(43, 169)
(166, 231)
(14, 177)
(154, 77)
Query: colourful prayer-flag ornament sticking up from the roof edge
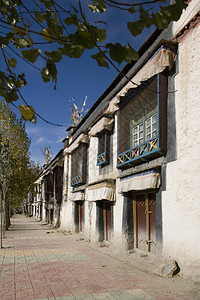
(77, 111)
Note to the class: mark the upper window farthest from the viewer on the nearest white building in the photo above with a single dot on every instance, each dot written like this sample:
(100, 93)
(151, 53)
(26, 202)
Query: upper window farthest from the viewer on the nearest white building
(78, 165)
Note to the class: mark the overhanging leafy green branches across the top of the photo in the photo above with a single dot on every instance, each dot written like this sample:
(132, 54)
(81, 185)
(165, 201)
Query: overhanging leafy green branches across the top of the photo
(52, 29)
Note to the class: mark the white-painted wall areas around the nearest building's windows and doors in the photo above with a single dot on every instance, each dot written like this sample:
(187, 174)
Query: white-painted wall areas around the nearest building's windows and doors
(180, 196)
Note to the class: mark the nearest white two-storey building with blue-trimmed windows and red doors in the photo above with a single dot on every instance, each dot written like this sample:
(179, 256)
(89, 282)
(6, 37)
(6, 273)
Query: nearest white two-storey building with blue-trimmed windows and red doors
(131, 167)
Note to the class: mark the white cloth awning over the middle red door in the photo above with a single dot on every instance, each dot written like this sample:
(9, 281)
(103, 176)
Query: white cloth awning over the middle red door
(101, 191)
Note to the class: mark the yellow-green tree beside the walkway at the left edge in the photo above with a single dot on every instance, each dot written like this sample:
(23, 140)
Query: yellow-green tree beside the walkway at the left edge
(17, 172)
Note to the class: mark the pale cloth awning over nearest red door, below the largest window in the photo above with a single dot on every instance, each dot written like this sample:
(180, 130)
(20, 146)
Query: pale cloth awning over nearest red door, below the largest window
(138, 182)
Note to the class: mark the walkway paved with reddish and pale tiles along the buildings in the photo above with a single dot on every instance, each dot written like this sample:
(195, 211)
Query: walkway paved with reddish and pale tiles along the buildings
(38, 262)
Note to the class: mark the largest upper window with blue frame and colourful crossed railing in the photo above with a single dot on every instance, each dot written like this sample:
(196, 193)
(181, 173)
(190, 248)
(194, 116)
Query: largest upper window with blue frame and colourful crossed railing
(142, 122)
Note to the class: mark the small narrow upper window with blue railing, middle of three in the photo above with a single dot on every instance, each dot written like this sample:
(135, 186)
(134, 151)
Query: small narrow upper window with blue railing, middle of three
(103, 148)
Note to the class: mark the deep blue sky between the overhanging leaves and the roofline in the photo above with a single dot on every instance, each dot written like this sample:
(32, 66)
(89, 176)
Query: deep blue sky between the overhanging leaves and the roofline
(76, 79)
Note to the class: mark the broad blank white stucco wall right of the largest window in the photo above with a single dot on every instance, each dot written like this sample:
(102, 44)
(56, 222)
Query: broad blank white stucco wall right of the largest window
(180, 201)
